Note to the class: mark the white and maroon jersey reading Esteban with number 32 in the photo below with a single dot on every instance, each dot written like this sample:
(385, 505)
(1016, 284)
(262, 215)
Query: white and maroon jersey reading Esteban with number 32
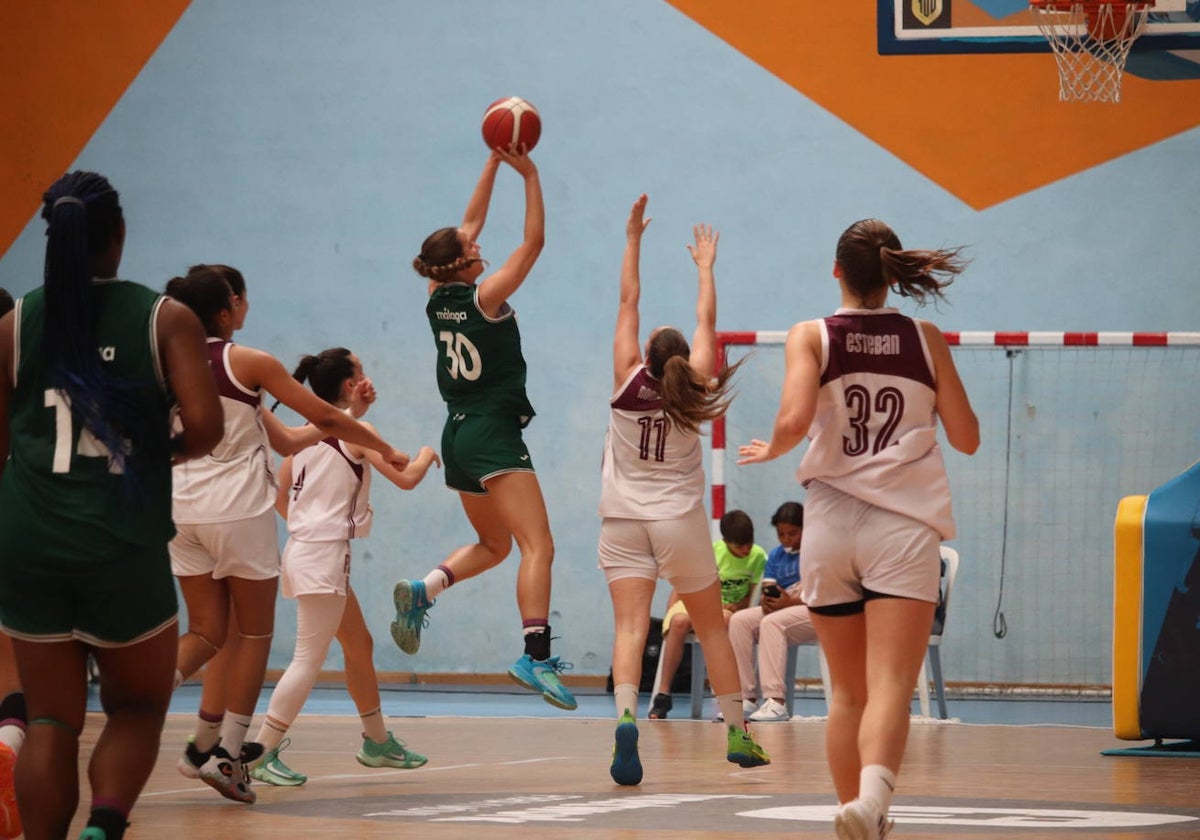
(875, 431)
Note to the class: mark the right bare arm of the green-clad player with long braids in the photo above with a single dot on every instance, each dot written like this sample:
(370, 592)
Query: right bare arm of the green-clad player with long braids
(182, 346)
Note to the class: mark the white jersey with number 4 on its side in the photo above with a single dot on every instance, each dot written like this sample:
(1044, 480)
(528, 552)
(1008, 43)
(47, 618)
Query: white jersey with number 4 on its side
(331, 494)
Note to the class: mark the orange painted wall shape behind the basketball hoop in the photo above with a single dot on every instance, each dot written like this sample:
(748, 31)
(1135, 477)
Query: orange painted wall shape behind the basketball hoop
(985, 128)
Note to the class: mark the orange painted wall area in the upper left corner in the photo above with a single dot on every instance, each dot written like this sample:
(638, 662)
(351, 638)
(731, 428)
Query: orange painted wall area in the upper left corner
(64, 65)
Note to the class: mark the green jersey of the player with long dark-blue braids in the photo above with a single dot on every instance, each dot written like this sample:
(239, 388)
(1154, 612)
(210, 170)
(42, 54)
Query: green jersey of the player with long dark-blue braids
(59, 497)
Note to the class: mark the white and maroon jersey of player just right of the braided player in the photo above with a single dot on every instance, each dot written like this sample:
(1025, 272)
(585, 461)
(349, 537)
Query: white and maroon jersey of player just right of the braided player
(236, 481)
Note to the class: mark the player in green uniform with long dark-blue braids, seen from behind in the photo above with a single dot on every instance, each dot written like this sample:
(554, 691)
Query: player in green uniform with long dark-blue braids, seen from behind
(89, 369)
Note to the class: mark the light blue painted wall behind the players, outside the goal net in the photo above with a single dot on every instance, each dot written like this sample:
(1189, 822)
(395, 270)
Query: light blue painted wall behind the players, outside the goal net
(316, 148)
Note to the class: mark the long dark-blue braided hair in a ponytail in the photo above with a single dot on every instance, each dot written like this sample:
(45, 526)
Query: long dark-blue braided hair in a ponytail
(83, 215)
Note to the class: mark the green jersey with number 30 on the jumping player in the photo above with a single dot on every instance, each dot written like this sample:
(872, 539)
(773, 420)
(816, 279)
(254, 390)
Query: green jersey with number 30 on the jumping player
(481, 368)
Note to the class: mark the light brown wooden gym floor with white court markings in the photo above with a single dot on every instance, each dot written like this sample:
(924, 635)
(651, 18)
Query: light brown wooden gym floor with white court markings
(549, 778)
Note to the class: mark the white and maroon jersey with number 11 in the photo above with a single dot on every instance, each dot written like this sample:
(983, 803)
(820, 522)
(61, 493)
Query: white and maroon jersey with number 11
(651, 470)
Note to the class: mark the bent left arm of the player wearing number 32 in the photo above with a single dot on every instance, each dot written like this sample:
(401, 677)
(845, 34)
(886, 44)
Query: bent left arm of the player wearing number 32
(799, 401)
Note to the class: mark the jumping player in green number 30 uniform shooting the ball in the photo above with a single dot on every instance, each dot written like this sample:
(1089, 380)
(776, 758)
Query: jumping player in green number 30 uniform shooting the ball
(482, 375)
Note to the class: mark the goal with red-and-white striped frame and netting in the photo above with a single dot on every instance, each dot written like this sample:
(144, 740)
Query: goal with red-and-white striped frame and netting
(1070, 425)
